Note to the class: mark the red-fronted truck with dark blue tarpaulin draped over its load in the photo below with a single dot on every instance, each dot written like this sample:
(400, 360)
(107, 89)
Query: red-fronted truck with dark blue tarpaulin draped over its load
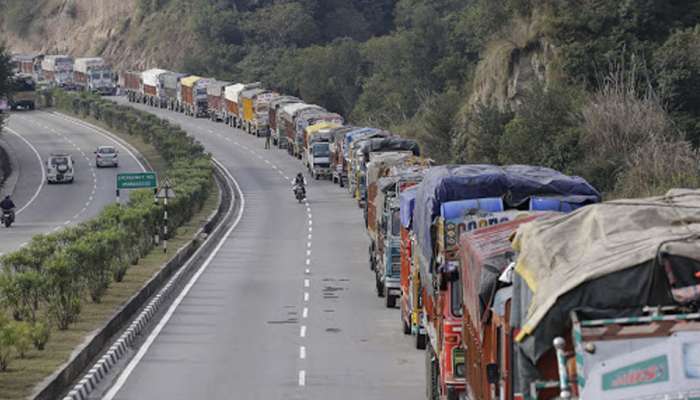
(442, 201)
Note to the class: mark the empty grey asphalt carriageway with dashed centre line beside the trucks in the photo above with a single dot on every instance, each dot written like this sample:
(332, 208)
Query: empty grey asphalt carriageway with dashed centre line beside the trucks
(287, 308)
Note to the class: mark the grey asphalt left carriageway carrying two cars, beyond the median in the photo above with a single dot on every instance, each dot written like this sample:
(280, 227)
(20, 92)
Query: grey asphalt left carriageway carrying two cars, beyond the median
(41, 208)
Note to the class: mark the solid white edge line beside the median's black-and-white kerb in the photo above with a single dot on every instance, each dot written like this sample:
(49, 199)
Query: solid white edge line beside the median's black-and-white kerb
(161, 324)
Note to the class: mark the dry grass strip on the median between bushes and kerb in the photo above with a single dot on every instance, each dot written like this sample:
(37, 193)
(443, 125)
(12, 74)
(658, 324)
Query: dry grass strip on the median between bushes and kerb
(24, 374)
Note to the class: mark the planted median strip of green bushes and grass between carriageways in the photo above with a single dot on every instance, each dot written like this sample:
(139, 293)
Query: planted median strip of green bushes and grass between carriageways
(63, 285)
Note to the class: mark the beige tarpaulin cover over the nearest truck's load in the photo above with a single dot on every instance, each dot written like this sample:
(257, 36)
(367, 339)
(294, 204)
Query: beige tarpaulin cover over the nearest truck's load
(558, 254)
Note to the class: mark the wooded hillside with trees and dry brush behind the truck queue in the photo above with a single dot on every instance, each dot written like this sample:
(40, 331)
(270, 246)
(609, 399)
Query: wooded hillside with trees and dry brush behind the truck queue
(443, 72)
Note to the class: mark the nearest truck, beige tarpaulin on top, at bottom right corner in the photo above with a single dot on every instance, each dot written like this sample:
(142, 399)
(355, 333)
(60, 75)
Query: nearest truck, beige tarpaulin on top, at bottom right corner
(608, 309)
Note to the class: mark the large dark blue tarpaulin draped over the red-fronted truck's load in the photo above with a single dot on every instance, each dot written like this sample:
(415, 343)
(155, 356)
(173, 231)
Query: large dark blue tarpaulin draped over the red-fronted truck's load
(516, 184)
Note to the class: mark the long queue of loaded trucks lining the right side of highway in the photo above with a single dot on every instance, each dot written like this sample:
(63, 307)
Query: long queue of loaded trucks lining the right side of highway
(516, 281)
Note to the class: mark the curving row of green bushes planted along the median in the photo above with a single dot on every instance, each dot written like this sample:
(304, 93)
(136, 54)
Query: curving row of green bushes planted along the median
(54, 272)
